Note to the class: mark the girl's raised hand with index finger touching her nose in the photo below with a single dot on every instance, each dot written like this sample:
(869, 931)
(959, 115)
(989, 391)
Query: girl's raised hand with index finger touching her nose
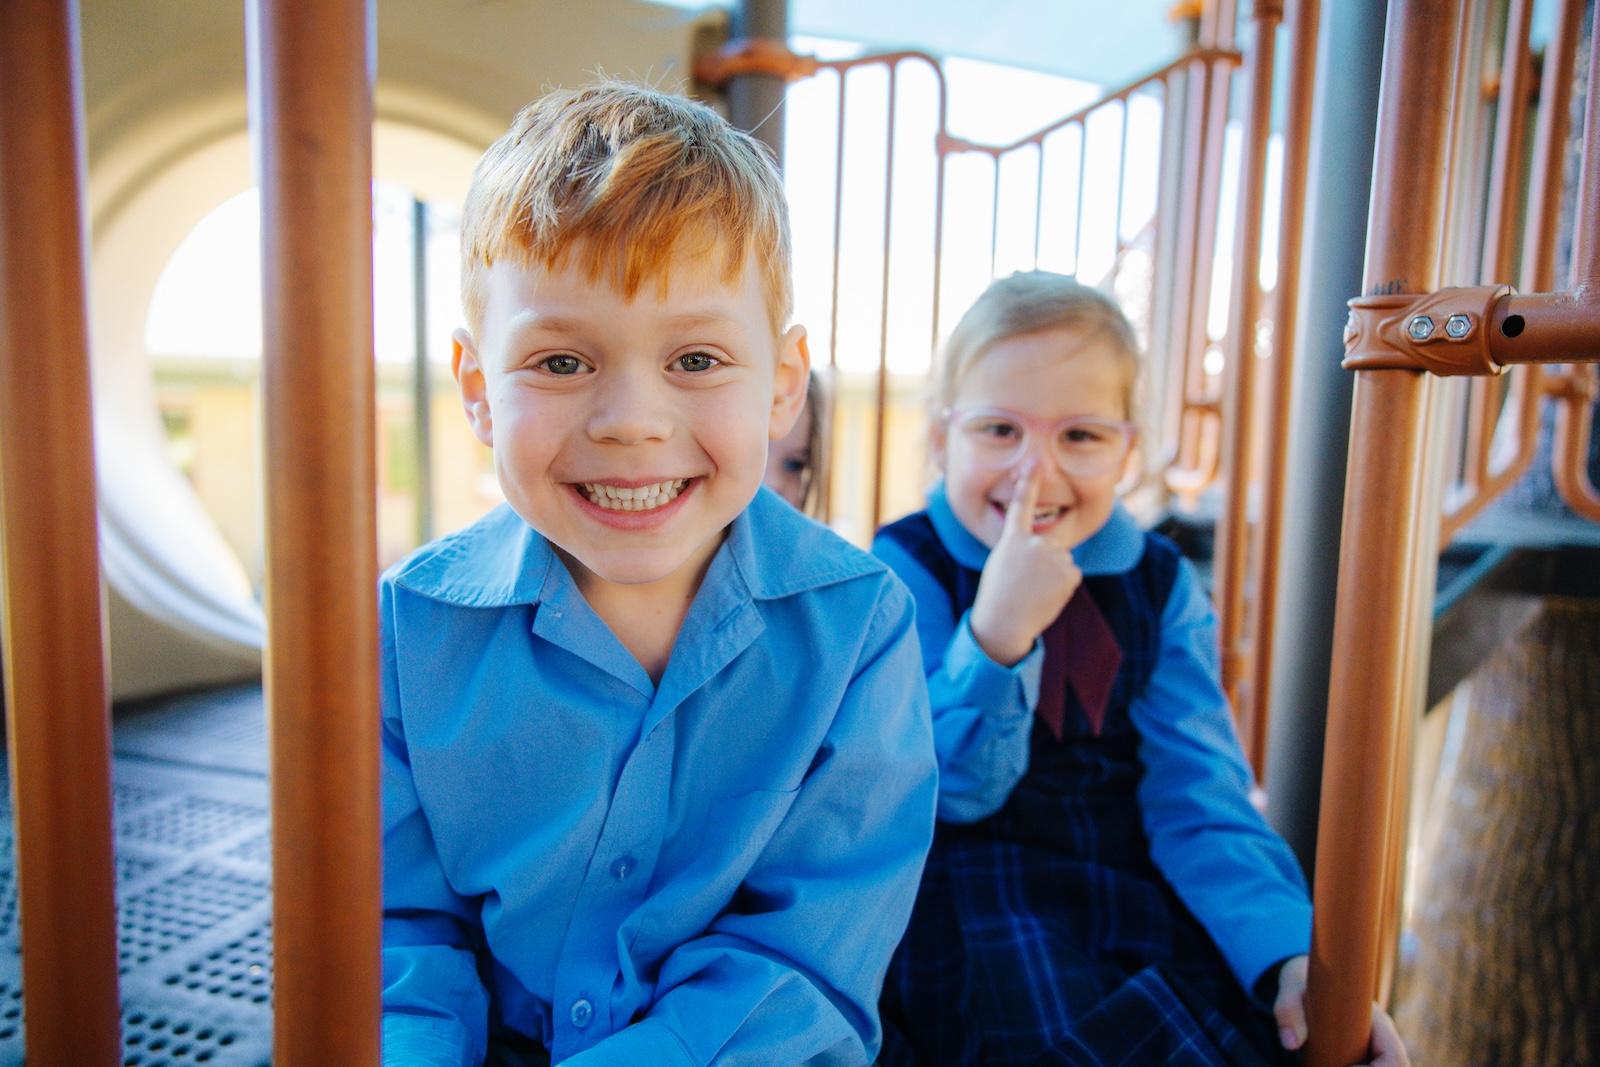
(1026, 583)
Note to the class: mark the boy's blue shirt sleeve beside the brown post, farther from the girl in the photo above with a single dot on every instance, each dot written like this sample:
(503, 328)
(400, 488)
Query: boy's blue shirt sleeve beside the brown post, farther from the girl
(436, 1009)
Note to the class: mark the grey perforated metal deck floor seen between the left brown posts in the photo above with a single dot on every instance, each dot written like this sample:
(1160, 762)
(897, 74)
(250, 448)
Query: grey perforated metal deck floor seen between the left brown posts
(194, 909)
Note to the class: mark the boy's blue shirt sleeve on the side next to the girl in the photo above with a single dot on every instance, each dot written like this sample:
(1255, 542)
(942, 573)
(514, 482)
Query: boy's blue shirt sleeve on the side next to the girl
(791, 970)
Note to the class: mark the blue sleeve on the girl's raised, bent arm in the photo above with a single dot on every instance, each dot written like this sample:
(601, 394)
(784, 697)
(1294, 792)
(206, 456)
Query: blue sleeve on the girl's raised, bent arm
(983, 713)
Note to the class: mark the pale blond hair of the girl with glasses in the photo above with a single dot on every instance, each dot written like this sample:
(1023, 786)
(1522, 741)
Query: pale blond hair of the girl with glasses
(1026, 303)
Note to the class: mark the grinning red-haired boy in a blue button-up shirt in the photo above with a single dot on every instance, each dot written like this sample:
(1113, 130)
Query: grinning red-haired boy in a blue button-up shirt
(658, 765)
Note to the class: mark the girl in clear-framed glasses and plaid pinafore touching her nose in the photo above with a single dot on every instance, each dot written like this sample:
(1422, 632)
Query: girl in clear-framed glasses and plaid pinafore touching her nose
(1100, 890)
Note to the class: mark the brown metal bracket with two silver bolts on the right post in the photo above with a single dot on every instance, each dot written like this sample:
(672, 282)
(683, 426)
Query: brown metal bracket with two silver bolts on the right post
(1444, 334)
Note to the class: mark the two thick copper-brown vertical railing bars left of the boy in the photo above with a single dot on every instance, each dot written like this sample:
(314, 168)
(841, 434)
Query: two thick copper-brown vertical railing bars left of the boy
(313, 68)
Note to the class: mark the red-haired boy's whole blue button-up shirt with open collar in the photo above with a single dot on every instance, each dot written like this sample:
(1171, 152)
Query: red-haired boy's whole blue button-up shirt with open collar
(727, 858)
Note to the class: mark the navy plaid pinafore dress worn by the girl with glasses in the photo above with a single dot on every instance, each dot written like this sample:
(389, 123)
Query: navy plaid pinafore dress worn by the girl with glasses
(1046, 935)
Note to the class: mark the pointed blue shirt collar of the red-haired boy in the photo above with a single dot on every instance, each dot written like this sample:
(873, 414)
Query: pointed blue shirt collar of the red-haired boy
(500, 561)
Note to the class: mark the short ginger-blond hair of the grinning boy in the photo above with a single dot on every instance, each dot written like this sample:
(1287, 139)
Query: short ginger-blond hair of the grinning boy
(626, 177)
